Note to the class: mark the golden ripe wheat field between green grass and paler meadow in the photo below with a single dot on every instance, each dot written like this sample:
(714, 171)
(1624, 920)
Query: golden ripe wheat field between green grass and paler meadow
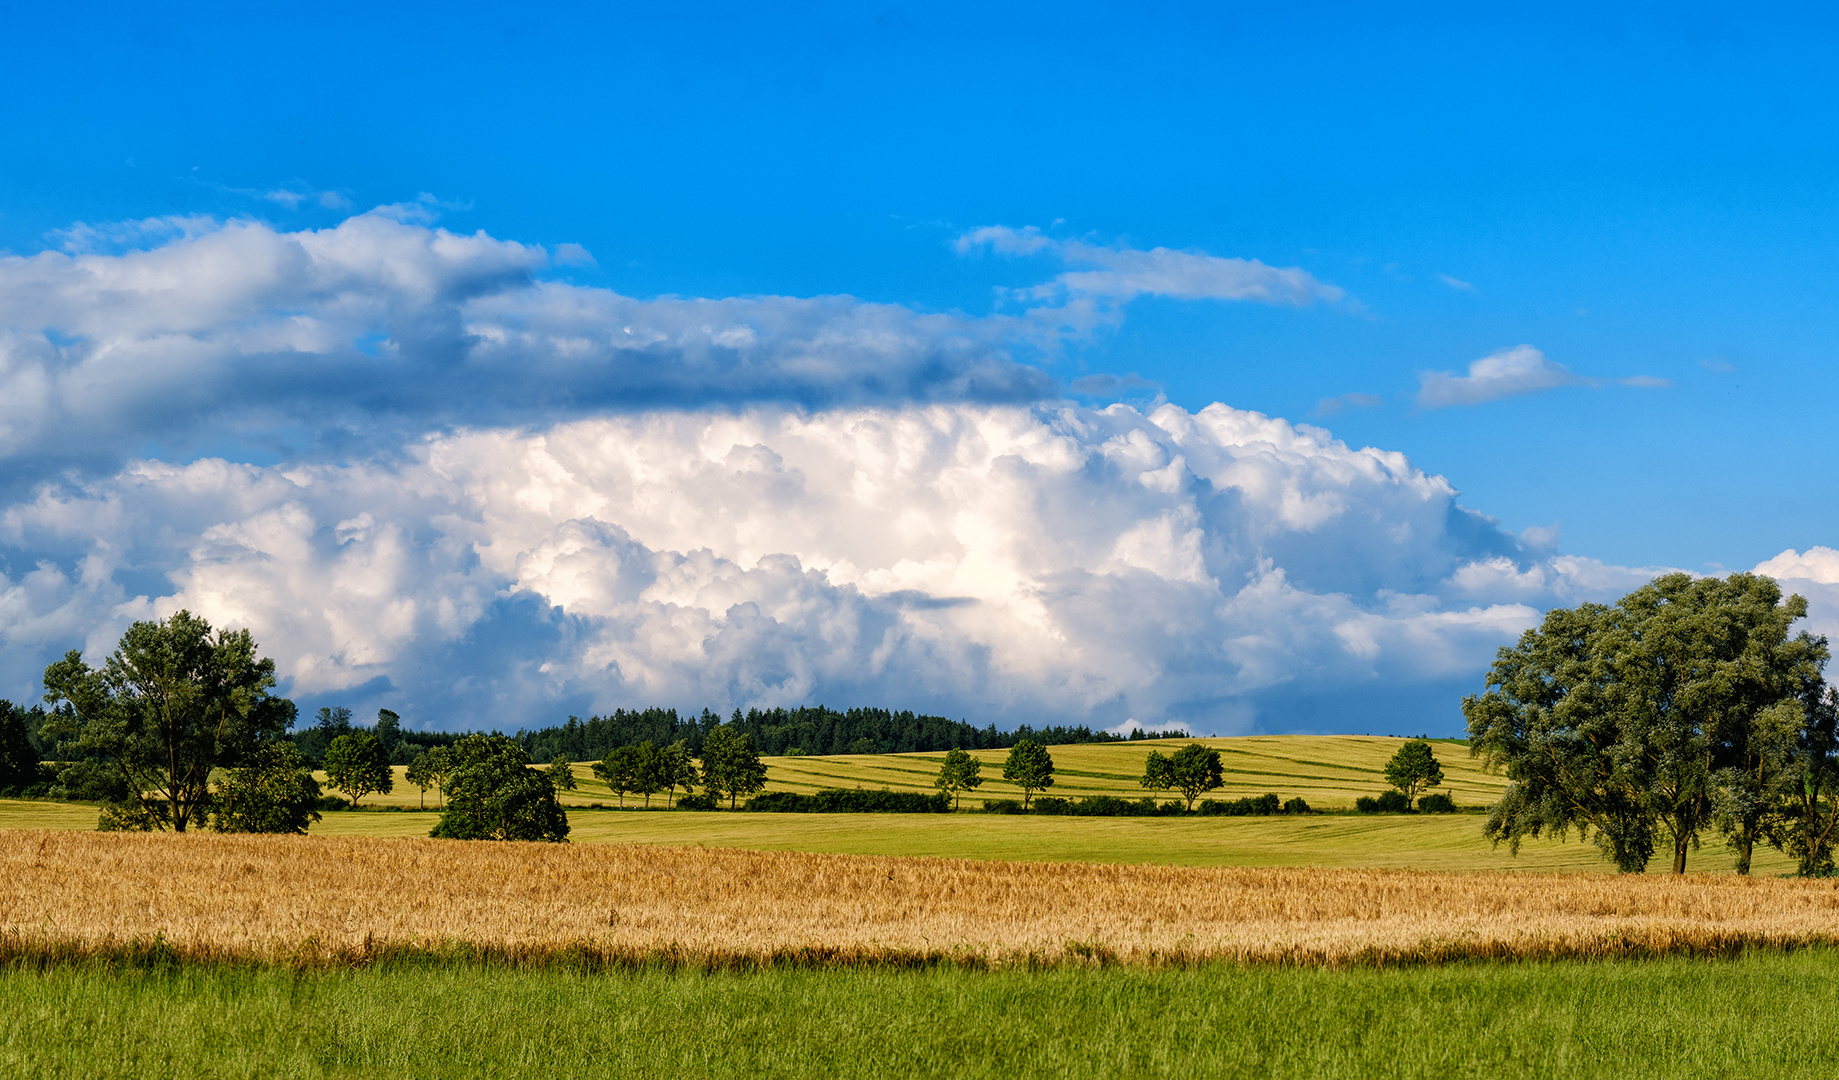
(315, 901)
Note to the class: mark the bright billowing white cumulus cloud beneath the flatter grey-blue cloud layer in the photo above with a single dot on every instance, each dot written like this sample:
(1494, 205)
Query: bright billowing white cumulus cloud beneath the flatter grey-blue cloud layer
(1001, 564)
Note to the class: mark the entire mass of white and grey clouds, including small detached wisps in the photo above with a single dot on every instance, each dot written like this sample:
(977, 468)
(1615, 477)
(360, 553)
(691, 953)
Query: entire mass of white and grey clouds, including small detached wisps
(497, 500)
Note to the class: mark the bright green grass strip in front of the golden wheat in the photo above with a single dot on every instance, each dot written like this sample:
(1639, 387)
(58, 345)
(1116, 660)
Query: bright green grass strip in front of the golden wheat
(1755, 1017)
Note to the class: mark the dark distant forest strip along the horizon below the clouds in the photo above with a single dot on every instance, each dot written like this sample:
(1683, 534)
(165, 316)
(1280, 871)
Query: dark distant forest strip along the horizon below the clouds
(797, 731)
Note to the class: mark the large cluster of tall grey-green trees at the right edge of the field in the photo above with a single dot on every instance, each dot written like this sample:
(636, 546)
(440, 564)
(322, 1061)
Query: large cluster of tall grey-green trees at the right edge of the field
(1685, 709)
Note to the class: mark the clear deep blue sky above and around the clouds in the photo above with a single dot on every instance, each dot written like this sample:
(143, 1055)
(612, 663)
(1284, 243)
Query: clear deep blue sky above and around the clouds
(1638, 194)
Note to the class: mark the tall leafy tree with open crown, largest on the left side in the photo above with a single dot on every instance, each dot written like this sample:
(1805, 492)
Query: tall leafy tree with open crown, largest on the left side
(172, 704)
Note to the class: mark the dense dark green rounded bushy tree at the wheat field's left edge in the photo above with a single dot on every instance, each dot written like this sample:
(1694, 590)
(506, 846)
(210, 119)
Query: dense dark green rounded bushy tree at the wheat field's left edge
(496, 796)
